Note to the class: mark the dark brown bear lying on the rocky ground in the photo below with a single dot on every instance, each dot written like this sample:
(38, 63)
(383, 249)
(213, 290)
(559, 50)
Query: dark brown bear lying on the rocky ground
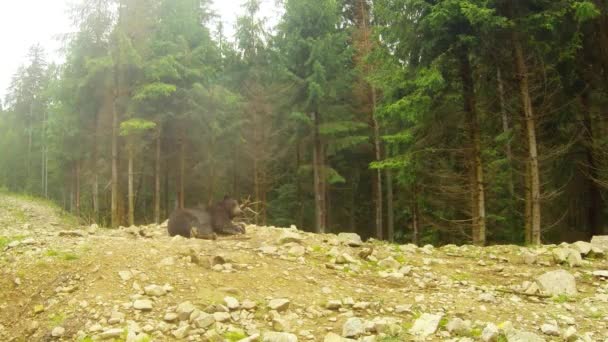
(206, 223)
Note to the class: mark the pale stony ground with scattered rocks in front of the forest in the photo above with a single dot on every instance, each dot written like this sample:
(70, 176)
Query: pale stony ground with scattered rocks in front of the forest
(64, 282)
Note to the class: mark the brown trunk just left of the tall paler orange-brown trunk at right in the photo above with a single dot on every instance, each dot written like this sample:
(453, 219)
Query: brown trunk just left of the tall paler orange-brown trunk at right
(477, 186)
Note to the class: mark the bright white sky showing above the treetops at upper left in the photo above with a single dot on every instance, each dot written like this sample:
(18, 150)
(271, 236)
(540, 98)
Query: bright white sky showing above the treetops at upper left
(24, 23)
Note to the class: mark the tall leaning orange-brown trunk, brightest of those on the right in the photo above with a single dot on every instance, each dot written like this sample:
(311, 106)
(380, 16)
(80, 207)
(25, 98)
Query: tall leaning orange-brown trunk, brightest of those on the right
(530, 124)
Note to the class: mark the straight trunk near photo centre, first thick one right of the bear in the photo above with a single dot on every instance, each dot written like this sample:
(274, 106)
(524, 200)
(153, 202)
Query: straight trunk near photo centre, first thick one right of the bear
(318, 166)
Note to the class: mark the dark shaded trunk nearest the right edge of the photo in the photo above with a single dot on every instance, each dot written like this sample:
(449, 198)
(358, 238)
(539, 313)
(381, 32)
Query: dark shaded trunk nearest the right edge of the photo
(595, 206)
